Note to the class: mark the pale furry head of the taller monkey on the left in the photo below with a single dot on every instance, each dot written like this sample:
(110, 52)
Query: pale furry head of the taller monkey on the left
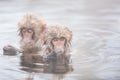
(30, 27)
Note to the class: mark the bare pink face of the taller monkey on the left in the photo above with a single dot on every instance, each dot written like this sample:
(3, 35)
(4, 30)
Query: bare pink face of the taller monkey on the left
(27, 34)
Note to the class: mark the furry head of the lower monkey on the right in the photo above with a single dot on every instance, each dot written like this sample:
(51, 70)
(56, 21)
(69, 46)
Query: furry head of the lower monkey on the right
(59, 36)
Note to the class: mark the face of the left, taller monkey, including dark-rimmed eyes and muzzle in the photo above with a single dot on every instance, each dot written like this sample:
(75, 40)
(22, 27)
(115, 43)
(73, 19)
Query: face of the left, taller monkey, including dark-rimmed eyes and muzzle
(27, 34)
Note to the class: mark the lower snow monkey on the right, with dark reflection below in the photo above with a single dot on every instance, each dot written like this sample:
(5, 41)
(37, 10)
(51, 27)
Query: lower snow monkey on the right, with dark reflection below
(58, 42)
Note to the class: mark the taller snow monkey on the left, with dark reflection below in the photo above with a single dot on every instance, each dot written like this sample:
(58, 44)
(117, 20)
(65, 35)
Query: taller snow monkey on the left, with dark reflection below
(31, 29)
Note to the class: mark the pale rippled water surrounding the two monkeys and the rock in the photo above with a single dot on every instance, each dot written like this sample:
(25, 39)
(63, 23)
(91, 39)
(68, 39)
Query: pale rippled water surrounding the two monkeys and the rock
(96, 36)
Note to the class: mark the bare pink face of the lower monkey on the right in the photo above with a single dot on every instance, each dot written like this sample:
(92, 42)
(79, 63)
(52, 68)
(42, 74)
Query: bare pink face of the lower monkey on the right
(58, 42)
